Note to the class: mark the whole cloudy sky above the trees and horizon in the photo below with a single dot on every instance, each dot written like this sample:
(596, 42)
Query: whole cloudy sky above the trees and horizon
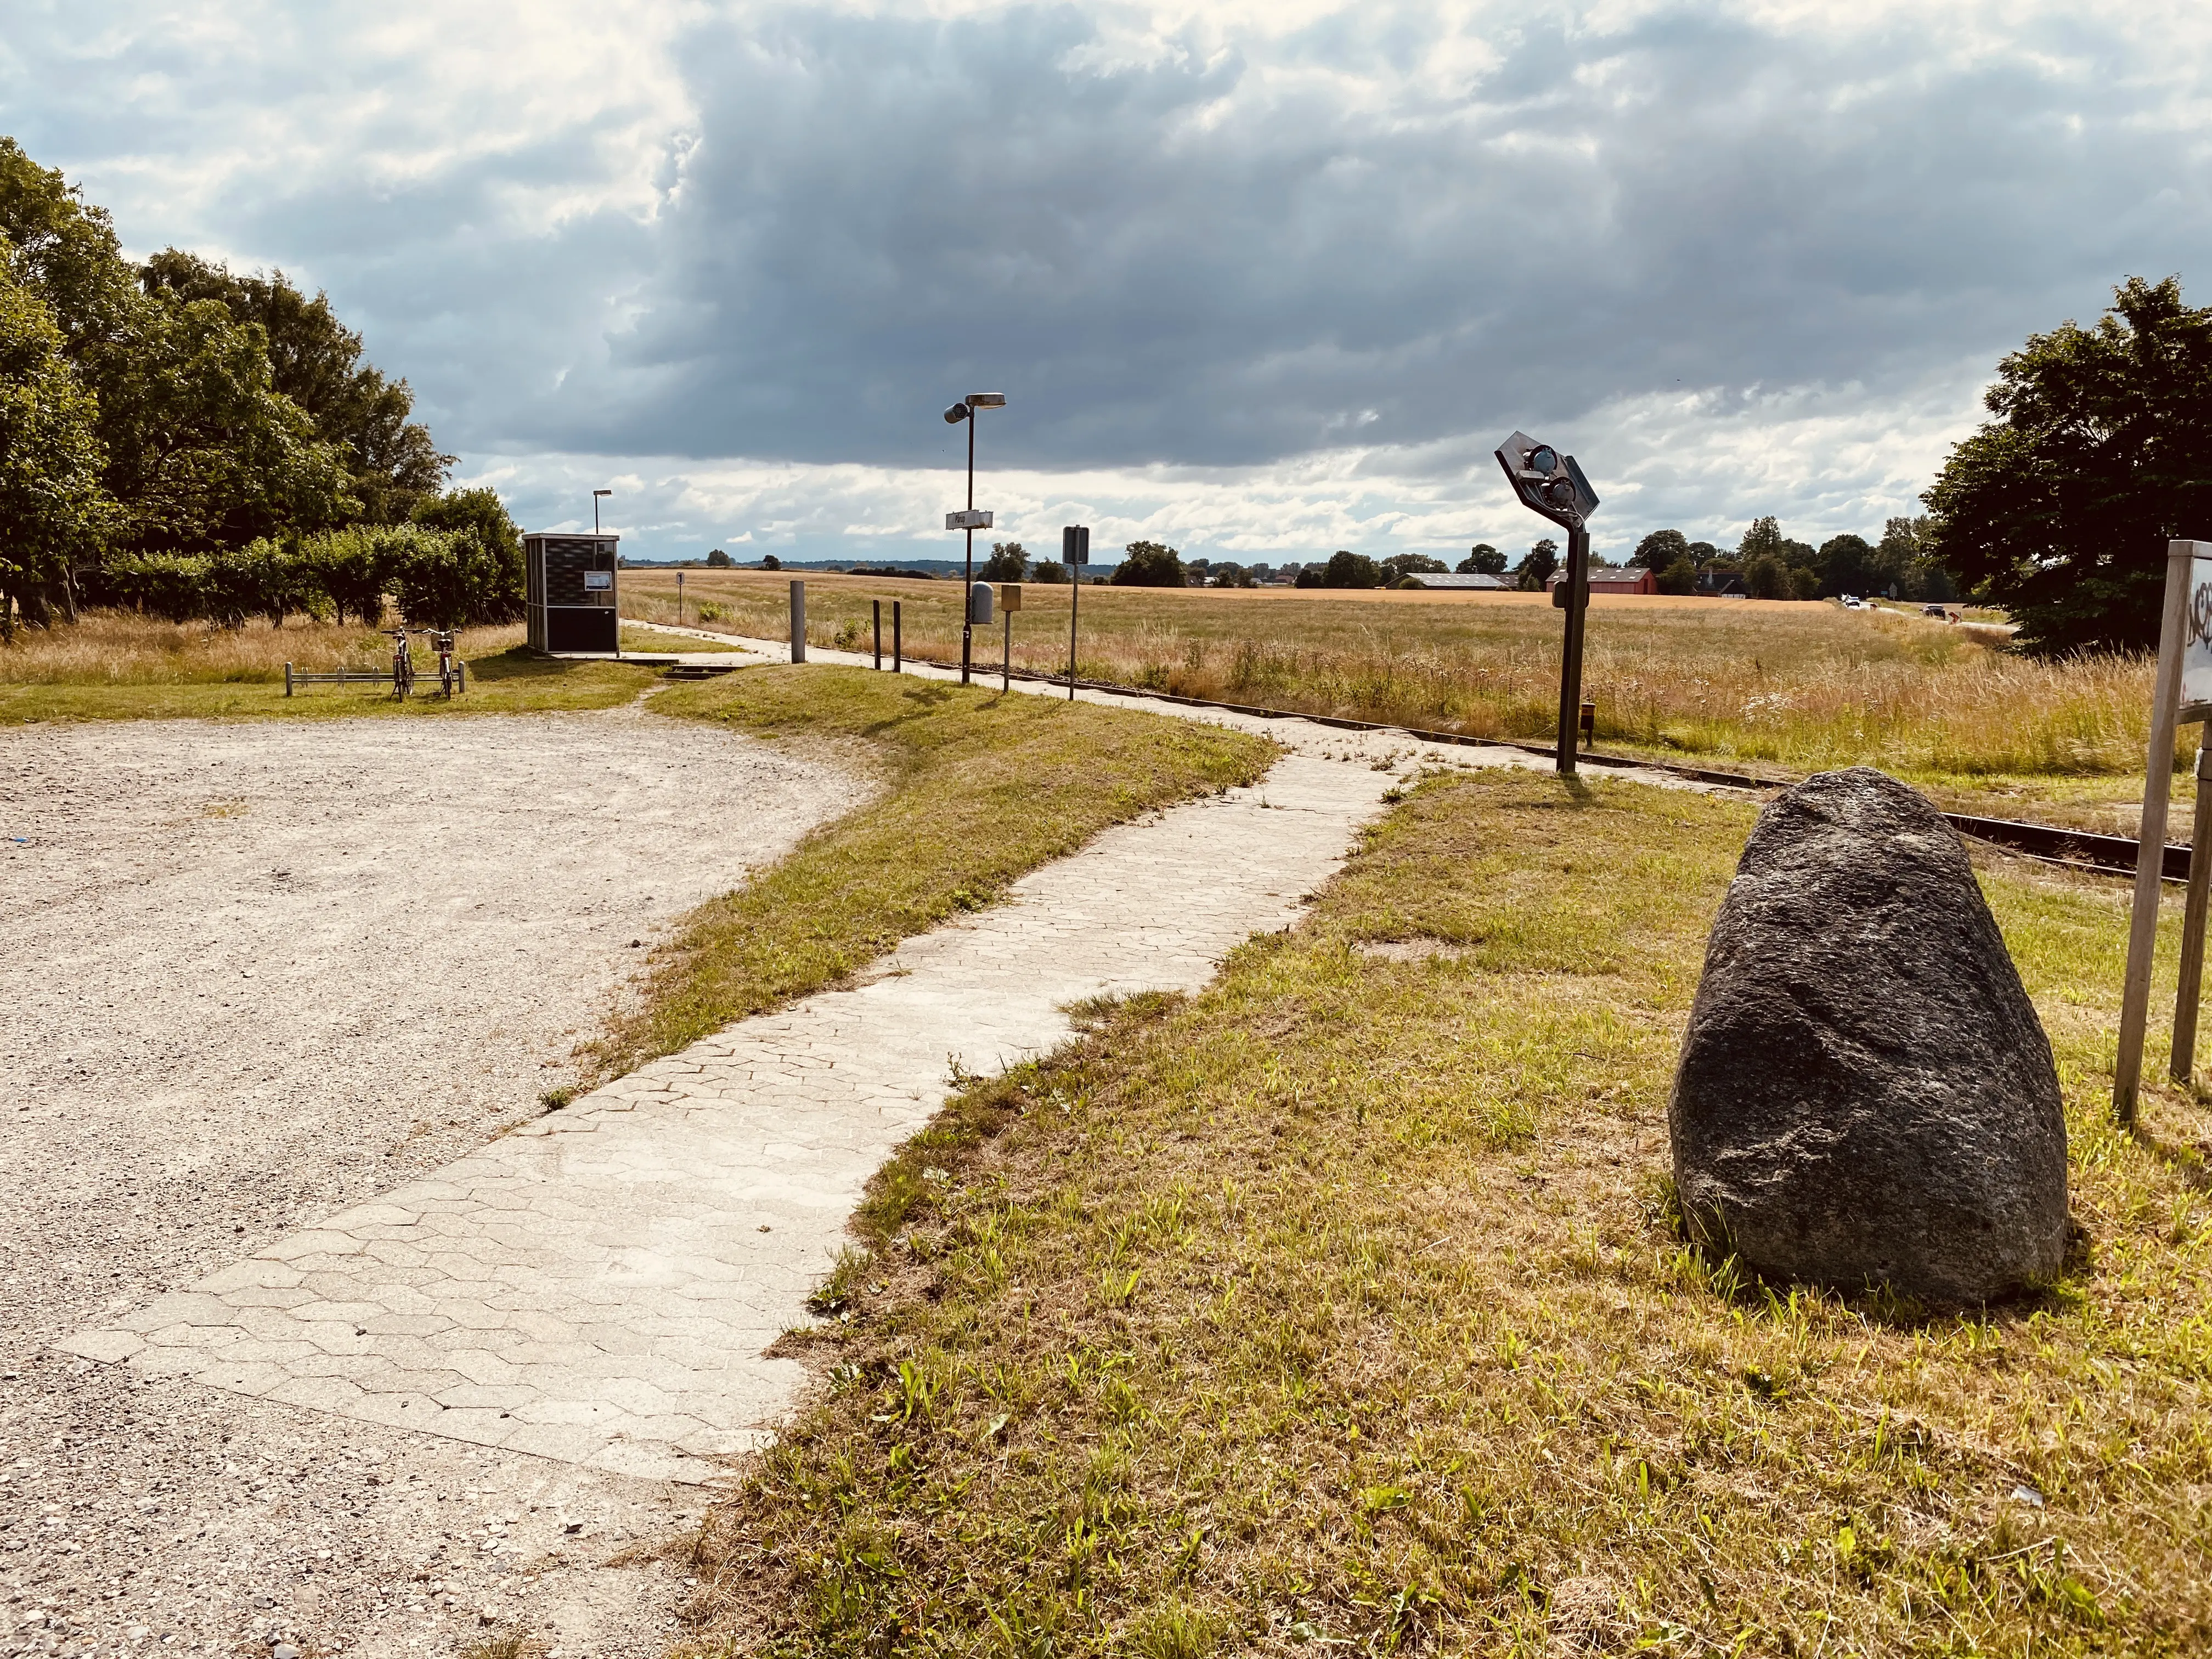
(1260, 280)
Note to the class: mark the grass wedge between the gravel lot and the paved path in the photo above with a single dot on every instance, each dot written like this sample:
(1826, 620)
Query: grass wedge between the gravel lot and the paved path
(977, 791)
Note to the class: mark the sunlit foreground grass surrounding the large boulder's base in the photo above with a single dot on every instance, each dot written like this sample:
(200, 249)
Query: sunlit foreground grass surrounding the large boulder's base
(1344, 1304)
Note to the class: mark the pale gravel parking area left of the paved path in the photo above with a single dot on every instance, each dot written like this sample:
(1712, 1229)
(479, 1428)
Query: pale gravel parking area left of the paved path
(255, 974)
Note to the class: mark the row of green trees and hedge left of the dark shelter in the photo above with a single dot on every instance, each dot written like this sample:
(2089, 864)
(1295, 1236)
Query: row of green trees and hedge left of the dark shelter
(198, 444)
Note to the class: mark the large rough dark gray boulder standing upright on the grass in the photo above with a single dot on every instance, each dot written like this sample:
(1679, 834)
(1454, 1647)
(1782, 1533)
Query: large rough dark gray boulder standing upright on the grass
(1866, 1094)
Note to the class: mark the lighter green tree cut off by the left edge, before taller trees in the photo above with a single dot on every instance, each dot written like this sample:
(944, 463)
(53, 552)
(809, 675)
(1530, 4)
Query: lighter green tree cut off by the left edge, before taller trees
(54, 512)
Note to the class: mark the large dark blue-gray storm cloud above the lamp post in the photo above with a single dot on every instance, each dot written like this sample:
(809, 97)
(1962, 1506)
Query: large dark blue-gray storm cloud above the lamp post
(1258, 251)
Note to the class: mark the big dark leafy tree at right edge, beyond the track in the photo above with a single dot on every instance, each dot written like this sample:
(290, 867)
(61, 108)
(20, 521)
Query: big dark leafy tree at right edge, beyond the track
(2098, 452)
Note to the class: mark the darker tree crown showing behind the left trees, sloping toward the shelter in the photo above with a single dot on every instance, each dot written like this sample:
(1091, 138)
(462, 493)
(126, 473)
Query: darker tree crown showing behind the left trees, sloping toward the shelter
(317, 362)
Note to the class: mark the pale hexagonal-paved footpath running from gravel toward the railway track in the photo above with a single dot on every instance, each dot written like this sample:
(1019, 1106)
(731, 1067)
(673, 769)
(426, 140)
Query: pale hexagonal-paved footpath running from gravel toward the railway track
(603, 1284)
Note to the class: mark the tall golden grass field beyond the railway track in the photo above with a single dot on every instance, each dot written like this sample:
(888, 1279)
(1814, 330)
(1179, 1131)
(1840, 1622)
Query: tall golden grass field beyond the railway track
(1764, 685)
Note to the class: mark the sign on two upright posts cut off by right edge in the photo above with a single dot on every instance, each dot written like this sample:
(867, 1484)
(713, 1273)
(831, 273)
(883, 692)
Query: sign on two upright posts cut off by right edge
(2182, 693)
